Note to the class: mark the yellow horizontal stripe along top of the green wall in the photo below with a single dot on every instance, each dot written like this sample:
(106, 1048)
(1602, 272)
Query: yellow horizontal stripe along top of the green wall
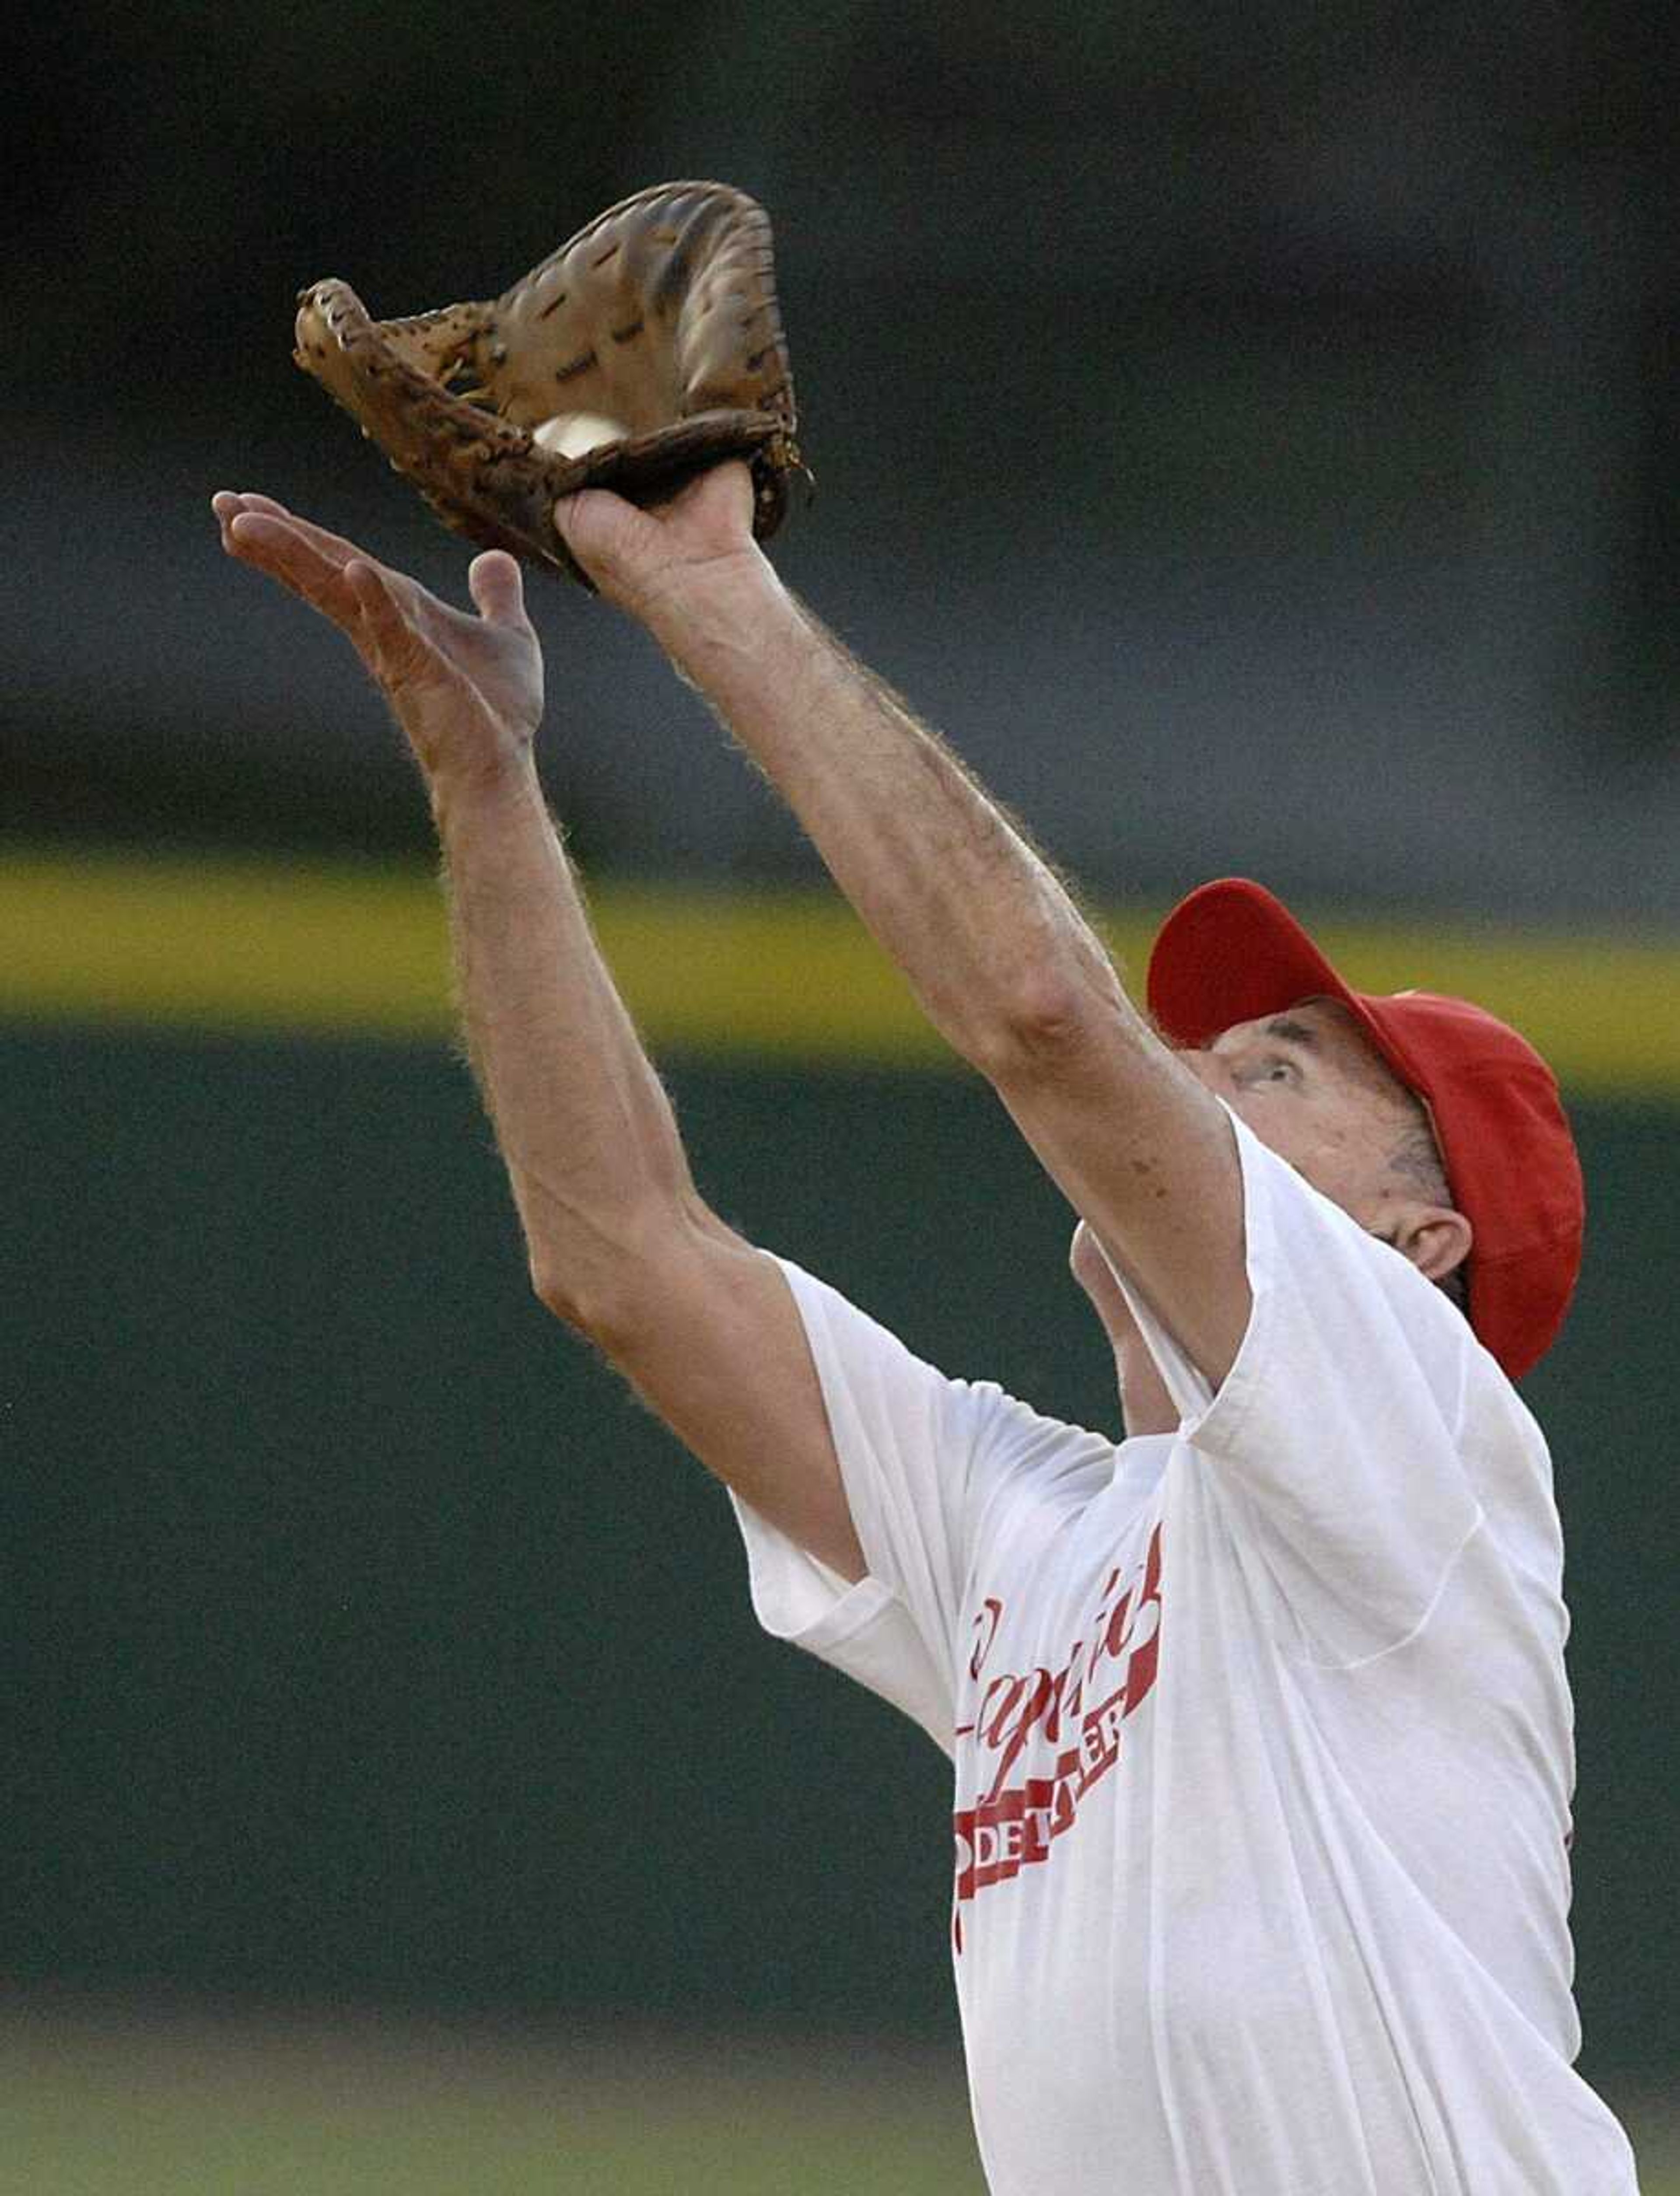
(789, 976)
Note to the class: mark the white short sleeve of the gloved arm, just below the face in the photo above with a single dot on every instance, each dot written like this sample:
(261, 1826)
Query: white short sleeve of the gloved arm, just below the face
(1339, 1426)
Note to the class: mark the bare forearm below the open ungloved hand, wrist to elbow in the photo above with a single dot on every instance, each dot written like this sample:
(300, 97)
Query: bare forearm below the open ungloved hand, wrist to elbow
(583, 1121)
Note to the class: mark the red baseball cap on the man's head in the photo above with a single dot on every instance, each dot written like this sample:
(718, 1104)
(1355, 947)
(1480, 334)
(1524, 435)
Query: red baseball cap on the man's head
(1231, 952)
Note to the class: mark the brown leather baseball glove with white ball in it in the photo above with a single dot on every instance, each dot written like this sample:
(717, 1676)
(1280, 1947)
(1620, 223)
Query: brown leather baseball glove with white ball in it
(631, 359)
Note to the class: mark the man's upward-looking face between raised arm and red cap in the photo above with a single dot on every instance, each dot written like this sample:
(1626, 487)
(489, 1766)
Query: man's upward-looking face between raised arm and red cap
(1310, 1084)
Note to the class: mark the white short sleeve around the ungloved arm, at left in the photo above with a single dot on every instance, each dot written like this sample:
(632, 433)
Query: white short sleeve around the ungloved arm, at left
(930, 1466)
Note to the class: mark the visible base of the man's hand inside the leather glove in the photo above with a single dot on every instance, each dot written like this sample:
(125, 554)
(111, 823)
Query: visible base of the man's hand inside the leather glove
(675, 557)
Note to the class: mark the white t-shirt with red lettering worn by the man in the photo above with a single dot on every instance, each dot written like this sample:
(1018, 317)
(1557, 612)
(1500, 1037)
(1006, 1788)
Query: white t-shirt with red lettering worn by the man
(1262, 1743)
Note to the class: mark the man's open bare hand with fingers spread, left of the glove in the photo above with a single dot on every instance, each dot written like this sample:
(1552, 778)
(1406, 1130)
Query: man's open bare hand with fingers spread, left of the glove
(467, 691)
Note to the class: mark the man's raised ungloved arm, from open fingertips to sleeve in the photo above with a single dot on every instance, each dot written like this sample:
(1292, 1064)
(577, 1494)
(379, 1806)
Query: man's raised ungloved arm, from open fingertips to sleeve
(618, 1240)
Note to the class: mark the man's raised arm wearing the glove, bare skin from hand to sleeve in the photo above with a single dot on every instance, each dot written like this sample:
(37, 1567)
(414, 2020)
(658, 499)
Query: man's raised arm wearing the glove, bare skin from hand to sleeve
(992, 943)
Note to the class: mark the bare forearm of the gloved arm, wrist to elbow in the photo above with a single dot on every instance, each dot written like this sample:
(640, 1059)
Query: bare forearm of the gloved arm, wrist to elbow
(981, 926)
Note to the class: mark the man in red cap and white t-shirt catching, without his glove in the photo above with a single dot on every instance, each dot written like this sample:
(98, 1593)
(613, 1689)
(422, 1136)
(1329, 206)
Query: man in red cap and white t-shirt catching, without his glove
(1259, 1721)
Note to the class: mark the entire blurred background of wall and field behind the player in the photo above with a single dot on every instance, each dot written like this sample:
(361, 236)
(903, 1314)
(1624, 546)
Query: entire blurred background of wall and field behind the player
(1251, 434)
